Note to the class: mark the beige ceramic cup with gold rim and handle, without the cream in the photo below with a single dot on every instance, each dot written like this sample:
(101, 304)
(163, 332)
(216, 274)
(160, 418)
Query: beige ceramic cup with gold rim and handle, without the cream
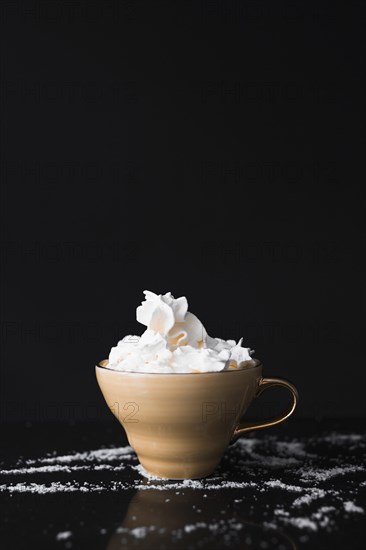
(180, 424)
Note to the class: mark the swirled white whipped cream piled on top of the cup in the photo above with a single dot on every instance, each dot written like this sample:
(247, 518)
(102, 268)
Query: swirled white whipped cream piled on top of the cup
(175, 341)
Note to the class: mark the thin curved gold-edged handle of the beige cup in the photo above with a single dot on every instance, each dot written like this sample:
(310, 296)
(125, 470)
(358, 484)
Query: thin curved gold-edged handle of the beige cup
(265, 384)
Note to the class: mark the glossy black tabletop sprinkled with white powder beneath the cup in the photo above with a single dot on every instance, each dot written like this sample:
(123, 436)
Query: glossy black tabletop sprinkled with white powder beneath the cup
(79, 485)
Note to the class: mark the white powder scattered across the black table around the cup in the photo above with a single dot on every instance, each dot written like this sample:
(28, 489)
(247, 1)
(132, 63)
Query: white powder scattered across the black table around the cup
(246, 463)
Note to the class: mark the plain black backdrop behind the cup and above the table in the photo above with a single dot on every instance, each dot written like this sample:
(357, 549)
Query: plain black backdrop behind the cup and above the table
(213, 149)
